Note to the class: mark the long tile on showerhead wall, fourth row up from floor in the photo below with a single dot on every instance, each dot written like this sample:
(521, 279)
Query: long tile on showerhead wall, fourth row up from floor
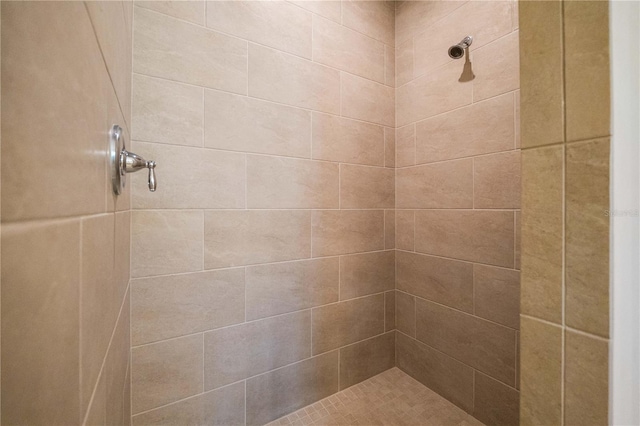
(477, 236)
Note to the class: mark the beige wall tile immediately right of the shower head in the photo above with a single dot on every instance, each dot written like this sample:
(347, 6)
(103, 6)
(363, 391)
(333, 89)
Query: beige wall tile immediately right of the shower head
(497, 68)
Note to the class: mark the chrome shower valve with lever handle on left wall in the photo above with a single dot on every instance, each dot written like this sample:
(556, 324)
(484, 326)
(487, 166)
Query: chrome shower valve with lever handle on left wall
(123, 162)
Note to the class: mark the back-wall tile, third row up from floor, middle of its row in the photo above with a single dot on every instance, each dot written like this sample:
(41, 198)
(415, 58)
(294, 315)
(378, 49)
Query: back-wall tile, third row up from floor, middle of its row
(291, 286)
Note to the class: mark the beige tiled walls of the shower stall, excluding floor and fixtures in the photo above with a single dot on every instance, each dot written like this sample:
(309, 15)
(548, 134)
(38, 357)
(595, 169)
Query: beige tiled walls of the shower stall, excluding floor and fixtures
(336, 198)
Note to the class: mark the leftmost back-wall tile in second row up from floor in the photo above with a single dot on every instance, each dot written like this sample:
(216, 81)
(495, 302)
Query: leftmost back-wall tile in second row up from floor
(165, 372)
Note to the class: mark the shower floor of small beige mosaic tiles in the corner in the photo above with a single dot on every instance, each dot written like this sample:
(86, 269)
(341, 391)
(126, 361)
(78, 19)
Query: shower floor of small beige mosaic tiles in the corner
(390, 398)
